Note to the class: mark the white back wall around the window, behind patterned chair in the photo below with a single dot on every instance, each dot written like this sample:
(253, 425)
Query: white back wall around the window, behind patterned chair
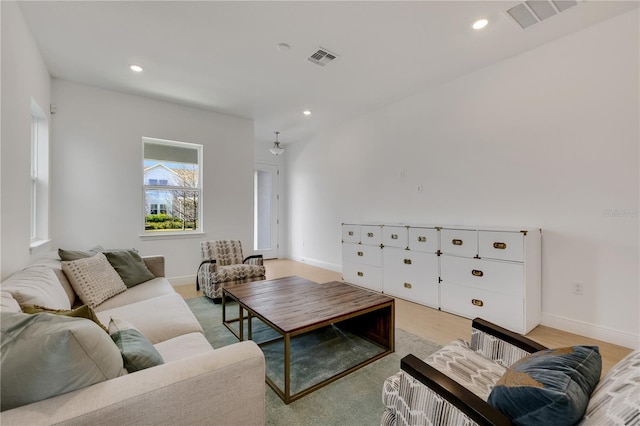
(97, 172)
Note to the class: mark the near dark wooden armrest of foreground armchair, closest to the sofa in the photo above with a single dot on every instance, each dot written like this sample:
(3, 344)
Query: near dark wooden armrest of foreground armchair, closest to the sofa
(456, 396)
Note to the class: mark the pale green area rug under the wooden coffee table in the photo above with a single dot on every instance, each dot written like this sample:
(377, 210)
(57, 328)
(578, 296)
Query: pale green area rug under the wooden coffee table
(355, 399)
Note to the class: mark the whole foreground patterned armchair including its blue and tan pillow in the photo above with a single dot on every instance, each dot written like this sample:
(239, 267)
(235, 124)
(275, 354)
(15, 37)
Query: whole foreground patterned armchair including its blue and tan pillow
(503, 378)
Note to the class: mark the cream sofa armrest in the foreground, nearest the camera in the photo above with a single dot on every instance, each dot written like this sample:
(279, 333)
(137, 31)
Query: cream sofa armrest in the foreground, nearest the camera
(221, 387)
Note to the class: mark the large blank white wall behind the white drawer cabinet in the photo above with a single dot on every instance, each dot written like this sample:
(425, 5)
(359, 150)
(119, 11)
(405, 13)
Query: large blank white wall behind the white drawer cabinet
(545, 139)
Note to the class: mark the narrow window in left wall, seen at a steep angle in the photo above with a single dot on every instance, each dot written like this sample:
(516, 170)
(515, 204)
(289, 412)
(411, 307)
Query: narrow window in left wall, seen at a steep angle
(39, 193)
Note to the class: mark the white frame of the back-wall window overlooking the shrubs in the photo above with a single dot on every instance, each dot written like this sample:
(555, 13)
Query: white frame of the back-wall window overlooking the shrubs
(199, 189)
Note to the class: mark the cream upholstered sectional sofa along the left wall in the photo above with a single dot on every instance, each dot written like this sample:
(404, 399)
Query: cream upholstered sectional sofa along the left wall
(196, 384)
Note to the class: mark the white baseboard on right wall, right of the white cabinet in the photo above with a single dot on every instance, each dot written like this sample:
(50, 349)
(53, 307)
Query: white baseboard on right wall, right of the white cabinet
(617, 337)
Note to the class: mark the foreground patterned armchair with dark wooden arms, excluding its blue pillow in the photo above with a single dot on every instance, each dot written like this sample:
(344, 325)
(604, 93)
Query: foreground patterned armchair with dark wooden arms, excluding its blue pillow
(451, 386)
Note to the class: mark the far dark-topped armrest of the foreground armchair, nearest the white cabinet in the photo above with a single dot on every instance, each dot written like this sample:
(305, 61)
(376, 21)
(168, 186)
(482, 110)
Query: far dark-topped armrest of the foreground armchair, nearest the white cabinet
(499, 344)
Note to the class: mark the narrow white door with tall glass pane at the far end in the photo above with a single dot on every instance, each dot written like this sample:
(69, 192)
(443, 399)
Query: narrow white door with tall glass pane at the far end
(265, 190)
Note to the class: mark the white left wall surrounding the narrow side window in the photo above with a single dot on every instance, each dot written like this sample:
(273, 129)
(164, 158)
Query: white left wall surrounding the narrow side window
(24, 76)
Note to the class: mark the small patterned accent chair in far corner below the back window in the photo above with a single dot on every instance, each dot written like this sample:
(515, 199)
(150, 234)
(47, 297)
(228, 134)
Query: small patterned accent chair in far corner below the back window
(223, 264)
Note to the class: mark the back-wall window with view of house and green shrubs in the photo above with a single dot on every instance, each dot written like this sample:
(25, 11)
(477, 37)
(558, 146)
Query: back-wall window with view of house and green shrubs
(172, 186)
